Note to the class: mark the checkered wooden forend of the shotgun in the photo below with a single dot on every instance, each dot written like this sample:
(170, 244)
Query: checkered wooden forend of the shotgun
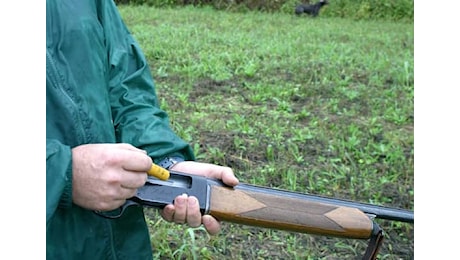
(288, 213)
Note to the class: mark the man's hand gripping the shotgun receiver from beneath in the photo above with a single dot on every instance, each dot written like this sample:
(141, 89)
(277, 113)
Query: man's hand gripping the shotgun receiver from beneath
(186, 210)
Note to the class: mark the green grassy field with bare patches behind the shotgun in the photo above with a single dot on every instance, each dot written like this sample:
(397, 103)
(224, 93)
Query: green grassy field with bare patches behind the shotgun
(322, 106)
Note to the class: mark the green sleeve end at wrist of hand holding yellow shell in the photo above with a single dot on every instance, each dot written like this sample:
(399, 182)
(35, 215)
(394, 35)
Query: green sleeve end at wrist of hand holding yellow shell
(58, 177)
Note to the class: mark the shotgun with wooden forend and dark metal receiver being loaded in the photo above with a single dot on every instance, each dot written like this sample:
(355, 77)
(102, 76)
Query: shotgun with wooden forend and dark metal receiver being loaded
(275, 208)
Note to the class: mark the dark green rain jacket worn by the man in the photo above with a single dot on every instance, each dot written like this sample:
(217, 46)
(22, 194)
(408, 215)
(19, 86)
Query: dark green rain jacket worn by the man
(98, 90)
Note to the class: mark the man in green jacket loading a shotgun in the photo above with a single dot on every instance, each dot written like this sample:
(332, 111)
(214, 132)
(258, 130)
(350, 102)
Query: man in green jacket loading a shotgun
(104, 129)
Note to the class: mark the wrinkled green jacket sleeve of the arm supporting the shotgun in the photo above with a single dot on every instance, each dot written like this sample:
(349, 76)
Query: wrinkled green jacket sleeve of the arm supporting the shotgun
(137, 118)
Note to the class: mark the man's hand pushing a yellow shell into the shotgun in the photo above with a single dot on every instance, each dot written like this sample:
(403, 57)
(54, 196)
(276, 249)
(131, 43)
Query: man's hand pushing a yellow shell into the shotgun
(105, 175)
